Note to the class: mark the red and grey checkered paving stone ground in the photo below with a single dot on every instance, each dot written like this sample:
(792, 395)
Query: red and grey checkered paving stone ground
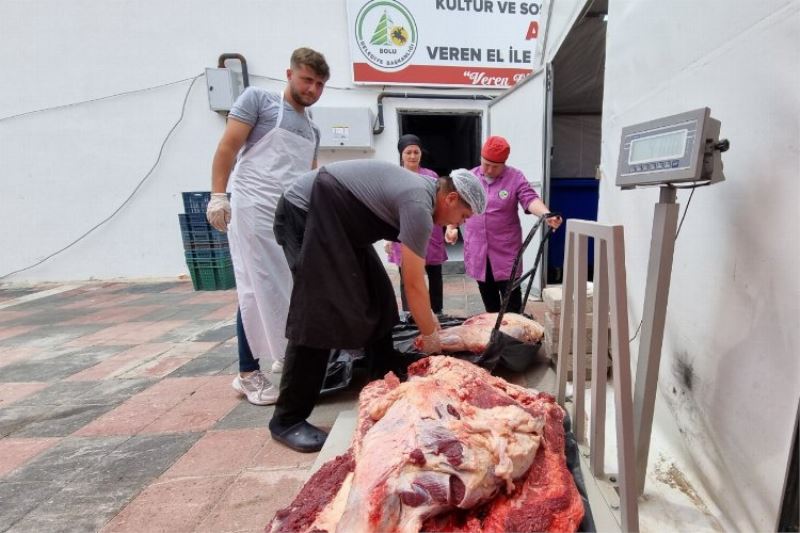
(117, 414)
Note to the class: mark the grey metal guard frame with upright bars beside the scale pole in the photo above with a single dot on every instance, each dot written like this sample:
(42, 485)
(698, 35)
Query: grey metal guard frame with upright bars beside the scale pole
(610, 295)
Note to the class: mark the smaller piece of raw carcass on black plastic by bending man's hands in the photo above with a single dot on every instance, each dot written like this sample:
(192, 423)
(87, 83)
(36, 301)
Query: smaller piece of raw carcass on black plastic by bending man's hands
(473, 335)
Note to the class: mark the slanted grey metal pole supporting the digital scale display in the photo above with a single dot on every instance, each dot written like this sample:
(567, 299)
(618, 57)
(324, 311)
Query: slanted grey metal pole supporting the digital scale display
(659, 273)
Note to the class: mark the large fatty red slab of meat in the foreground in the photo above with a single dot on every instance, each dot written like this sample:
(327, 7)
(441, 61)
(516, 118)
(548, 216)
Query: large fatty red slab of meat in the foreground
(452, 449)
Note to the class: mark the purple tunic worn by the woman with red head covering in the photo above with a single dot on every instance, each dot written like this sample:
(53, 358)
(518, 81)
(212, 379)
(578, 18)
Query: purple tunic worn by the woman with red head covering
(497, 233)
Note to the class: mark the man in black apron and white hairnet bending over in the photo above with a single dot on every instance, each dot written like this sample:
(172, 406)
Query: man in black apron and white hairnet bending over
(327, 222)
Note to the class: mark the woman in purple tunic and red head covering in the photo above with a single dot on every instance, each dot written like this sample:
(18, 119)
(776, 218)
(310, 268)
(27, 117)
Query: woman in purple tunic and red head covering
(493, 239)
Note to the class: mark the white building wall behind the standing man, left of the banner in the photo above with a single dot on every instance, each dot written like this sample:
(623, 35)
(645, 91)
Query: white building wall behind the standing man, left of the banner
(64, 170)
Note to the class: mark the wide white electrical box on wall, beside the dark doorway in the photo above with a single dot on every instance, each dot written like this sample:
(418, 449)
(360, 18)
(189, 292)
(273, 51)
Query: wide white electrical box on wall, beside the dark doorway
(344, 127)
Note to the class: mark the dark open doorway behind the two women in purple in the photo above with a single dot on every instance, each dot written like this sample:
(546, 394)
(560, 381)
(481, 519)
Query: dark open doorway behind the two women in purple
(450, 140)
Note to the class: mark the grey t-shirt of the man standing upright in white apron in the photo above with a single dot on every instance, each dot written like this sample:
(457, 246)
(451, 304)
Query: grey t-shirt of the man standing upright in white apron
(259, 108)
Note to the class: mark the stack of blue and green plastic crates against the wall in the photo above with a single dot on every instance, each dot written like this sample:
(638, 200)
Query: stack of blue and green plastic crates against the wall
(208, 256)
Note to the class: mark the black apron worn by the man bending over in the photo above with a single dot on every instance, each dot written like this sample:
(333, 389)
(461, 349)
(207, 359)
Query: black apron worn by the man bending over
(342, 296)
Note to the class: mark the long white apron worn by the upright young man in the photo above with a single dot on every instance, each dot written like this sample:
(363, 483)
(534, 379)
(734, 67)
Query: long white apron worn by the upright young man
(263, 279)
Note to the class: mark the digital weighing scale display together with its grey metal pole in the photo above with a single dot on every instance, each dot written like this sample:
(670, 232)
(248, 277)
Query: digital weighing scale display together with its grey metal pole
(678, 150)
